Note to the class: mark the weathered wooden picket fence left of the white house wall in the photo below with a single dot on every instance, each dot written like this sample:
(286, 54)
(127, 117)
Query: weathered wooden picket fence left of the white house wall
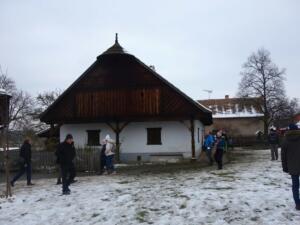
(87, 160)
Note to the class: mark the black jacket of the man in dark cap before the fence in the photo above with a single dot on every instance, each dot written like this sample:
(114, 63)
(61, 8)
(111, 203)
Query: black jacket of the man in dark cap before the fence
(65, 154)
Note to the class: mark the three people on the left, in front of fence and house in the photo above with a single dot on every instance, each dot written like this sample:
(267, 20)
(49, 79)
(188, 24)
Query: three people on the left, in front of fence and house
(65, 156)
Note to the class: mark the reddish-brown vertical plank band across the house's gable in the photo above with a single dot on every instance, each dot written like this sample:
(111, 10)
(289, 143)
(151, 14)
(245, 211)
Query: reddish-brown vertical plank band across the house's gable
(143, 101)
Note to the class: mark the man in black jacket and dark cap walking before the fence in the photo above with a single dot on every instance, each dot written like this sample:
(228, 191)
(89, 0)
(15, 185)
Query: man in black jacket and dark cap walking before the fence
(65, 156)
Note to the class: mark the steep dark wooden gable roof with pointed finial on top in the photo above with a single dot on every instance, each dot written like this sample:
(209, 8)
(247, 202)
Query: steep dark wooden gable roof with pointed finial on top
(118, 86)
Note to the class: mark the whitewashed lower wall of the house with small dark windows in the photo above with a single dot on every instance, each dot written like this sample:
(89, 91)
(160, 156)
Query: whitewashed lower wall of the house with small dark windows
(175, 137)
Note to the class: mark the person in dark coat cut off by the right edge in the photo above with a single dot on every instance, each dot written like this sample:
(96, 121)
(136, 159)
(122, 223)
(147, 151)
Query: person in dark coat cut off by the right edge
(290, 156)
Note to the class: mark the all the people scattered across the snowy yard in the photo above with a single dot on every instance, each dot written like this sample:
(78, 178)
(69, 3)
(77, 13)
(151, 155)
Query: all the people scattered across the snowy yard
(290, 156)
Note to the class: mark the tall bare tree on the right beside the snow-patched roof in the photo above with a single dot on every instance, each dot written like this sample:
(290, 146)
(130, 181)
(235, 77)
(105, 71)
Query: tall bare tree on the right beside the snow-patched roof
(261, 78)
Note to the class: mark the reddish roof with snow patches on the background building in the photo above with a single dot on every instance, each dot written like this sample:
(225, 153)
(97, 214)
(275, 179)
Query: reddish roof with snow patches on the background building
(233, 107)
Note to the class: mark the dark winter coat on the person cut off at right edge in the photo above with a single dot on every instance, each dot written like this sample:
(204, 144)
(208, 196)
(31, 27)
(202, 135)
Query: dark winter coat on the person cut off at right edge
(290, 152)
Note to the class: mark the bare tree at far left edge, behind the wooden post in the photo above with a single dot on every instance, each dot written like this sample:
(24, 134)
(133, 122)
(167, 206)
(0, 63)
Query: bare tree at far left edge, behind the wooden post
(21, 103)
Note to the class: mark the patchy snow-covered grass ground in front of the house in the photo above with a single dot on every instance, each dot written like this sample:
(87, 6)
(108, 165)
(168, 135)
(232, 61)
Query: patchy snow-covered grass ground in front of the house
(250, 190)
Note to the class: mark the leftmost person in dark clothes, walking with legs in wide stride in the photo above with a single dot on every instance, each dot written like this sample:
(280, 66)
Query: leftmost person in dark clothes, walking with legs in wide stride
(25, 162)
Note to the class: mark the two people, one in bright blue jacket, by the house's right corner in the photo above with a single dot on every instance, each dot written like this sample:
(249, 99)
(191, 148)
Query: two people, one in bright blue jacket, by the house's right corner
(218, 142)
